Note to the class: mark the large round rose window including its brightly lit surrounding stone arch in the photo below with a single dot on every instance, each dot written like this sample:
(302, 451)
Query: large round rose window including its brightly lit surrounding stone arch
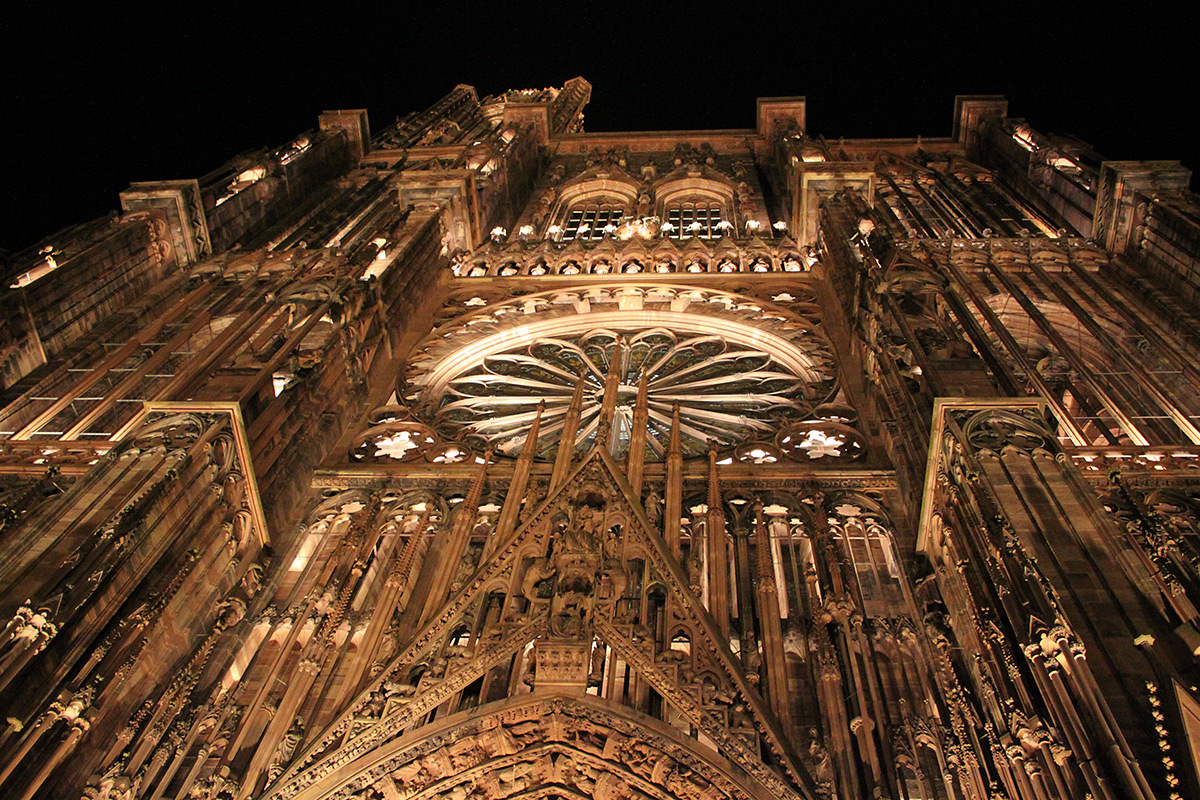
(740, 369)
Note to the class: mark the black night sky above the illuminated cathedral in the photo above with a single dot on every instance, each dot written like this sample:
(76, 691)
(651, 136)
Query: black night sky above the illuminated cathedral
(95, 100)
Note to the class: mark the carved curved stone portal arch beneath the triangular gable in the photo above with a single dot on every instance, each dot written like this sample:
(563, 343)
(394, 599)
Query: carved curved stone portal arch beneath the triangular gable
(535, 747)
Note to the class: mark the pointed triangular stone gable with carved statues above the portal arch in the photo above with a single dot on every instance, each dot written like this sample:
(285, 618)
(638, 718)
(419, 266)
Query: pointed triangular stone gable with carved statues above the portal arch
(583, 538)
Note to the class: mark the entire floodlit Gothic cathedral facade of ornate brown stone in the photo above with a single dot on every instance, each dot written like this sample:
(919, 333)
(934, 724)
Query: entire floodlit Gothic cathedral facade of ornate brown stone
(487, 459)
